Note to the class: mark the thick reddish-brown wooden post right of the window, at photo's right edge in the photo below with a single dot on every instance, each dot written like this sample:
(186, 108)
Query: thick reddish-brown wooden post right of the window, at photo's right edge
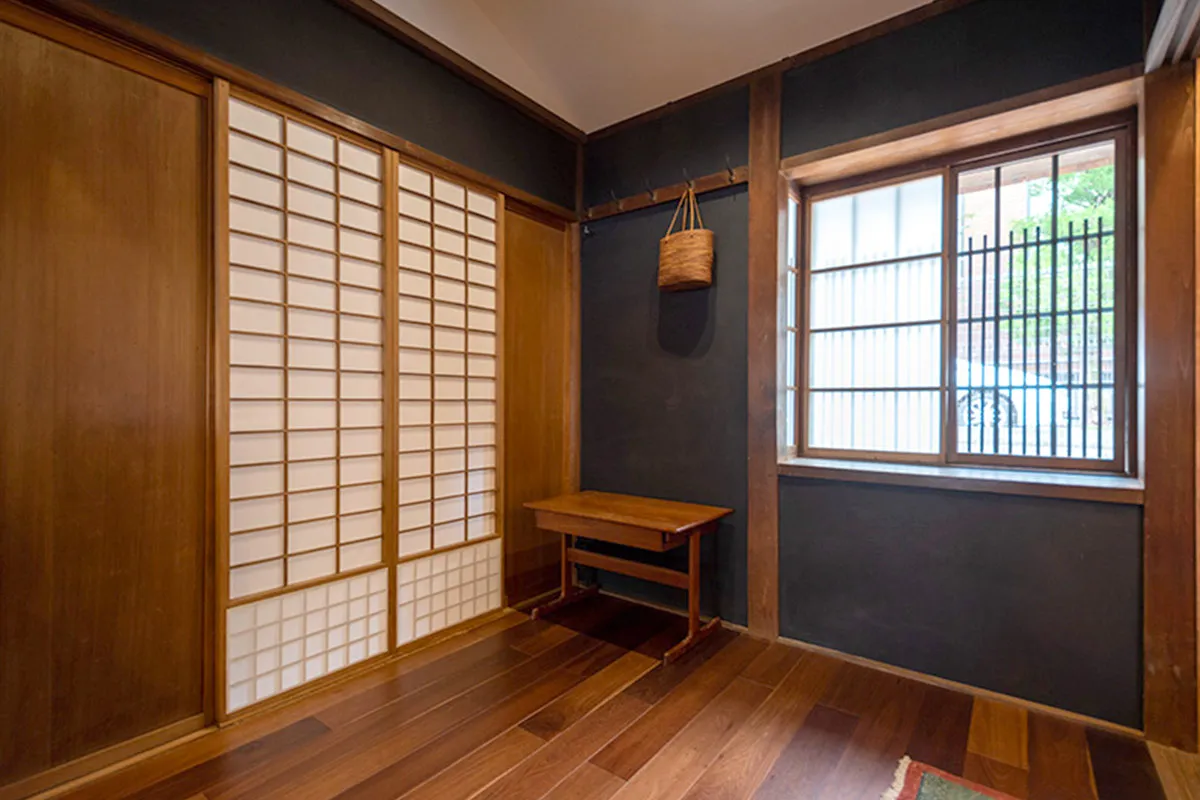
(1171, 444)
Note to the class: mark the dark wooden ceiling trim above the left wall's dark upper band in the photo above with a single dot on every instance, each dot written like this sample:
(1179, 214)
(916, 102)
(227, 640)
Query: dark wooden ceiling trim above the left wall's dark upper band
(415, 38)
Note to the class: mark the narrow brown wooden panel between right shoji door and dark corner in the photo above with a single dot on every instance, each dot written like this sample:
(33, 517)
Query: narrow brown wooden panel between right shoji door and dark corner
(541, 292)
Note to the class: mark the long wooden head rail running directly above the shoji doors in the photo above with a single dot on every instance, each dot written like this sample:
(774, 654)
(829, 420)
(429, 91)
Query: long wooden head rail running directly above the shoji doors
(86, 15)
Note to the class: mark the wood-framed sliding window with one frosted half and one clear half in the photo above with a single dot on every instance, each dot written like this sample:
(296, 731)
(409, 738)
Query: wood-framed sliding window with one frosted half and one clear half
(971, 314)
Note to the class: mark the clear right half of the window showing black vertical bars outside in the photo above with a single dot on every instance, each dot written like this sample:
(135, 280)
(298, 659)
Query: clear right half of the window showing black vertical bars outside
(1037, 335)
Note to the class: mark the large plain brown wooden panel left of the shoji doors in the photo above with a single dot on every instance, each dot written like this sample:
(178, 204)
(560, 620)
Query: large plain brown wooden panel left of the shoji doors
(104, 291)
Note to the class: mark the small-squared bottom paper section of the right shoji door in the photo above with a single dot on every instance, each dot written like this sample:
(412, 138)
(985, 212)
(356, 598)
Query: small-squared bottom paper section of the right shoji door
(443, 590)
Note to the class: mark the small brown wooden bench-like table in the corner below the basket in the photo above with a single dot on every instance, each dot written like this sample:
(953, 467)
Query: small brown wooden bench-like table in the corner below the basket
(645, 524)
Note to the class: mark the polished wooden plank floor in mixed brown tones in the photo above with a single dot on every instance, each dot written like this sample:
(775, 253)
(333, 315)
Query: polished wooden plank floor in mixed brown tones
(581, 709)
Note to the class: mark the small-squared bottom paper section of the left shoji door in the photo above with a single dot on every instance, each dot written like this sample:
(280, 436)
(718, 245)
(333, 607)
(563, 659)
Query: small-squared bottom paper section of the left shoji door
(283, 642)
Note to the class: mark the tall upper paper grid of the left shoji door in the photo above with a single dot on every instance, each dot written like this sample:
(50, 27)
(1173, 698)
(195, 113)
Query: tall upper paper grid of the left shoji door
(307, 359)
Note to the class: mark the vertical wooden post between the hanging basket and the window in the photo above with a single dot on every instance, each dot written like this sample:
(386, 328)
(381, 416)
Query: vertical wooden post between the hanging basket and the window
(769, 215)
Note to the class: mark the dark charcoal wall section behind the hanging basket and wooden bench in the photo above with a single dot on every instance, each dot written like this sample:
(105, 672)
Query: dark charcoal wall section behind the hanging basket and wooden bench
(663, 388)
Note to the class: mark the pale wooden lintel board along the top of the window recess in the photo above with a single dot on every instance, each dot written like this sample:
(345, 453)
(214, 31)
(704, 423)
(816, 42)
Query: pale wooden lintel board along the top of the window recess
(1057, 106)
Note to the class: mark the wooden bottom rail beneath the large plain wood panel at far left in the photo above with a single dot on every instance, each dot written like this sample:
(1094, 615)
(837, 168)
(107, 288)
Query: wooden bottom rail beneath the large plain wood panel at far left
(59, 779)
